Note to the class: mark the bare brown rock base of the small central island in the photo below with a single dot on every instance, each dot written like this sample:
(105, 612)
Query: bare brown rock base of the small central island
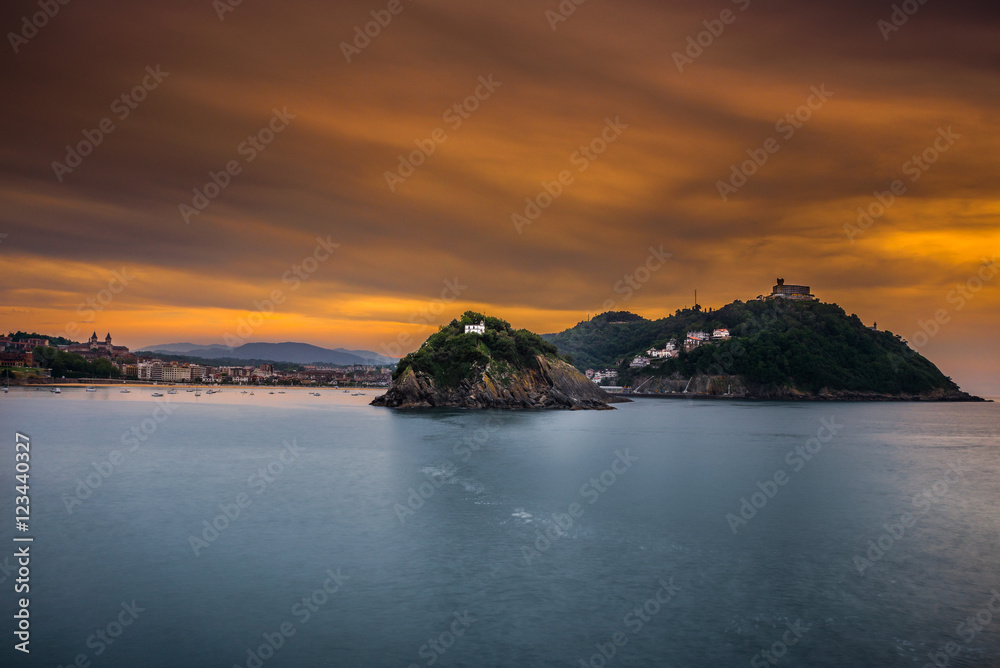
(553, 384)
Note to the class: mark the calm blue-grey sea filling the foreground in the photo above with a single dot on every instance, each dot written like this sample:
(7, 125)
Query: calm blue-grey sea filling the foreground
(296, 530)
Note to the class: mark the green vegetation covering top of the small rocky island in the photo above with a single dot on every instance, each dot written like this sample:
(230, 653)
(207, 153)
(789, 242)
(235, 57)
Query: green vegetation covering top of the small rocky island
(451, 355)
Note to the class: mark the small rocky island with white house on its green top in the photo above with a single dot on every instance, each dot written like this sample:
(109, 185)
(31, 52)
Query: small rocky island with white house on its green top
(479, 361)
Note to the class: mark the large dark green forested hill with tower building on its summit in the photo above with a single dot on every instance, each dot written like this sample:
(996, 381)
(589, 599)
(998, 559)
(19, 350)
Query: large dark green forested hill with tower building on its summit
(805, 345)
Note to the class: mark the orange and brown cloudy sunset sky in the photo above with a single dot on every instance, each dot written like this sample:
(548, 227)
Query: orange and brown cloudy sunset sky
(259, 171)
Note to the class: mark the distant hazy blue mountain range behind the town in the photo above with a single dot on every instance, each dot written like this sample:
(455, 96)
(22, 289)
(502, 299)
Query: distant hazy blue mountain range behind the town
(295, 353)
